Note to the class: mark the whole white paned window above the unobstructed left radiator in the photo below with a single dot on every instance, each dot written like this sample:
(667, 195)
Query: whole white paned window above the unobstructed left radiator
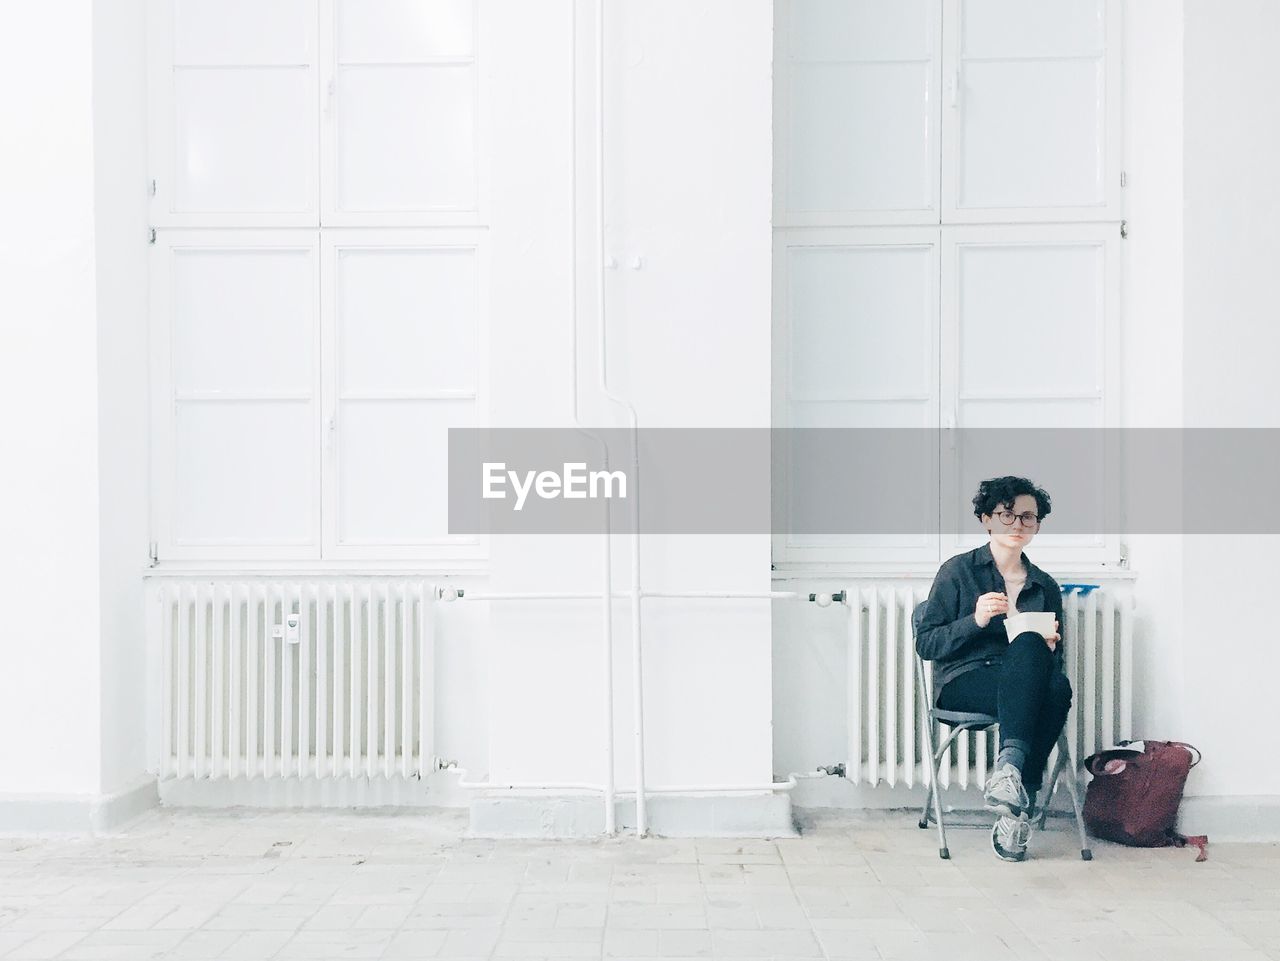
(319, 276)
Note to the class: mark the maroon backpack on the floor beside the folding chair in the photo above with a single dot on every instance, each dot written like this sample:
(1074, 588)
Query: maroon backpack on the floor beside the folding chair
(1136, 802)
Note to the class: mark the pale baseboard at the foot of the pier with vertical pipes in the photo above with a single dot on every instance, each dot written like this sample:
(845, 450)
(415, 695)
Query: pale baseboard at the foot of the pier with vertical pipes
(538, 816)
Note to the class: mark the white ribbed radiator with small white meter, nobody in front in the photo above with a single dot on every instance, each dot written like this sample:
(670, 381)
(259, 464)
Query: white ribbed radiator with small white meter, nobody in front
(341, 689)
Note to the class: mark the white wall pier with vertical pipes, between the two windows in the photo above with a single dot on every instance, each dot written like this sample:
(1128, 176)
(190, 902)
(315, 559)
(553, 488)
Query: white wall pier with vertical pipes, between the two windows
(689, 345)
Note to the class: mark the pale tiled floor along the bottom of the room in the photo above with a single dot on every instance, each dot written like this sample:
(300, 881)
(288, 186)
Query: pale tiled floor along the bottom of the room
(303, 886)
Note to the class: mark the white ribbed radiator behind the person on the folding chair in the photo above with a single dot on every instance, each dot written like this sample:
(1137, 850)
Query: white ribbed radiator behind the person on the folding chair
(886, 738)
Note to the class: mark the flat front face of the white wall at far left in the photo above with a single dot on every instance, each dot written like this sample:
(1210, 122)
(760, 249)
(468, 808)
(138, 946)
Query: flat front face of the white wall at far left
(49, 491)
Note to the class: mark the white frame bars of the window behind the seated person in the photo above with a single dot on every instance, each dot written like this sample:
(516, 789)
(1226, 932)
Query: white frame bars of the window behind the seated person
(952, 225)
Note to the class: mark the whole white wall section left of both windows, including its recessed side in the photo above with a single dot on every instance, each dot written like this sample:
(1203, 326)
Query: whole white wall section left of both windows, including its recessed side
(72, 402)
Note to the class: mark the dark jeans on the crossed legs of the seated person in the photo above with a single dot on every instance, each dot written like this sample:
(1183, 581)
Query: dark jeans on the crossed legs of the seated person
(1026, 692)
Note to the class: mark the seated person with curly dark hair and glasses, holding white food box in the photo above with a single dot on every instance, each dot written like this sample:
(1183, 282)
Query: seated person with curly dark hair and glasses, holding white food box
(979, 669)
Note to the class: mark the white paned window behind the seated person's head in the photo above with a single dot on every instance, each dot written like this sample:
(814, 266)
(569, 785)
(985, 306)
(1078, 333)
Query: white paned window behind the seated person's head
(948, 173)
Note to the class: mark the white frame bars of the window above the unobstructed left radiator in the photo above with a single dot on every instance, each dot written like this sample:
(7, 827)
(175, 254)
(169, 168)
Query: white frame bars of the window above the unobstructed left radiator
(321, 230)
